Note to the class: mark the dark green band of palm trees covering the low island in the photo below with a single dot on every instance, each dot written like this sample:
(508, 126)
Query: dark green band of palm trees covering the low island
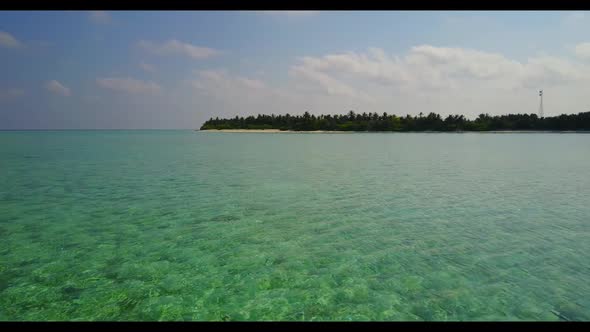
(384, 122)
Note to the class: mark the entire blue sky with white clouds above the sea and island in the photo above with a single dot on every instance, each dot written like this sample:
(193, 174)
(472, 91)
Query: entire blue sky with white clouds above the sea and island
(176, 69)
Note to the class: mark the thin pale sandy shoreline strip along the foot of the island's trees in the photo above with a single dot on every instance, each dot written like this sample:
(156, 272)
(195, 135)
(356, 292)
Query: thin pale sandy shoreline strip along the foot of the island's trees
(277, 131)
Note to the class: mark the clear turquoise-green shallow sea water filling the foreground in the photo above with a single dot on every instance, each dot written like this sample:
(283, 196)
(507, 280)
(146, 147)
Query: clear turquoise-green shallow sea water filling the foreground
(182, 225)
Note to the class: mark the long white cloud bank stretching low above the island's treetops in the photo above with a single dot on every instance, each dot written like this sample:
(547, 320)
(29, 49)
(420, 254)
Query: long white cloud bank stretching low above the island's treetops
(424, 78)
